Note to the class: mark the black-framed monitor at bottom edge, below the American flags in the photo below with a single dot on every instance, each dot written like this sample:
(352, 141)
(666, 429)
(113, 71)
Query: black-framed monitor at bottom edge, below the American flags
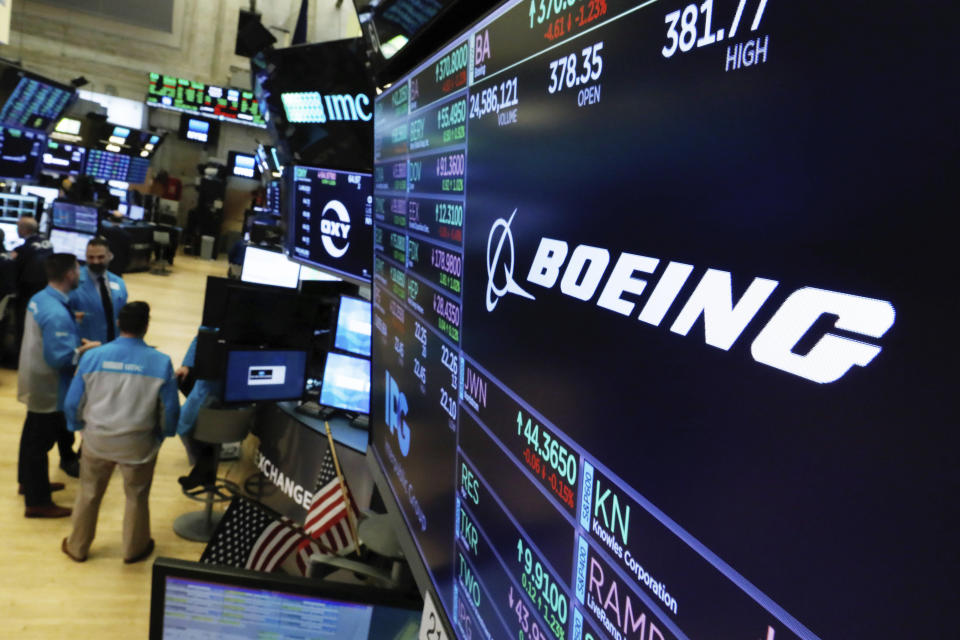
(193, 600)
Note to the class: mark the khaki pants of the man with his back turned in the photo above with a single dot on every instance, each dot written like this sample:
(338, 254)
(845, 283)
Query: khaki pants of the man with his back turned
(94, 476)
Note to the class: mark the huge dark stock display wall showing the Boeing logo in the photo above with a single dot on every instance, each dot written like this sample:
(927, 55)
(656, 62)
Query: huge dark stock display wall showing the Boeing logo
(659, 303)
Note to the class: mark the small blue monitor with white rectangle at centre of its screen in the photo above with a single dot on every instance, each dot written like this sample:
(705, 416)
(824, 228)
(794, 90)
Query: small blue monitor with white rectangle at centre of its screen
(264, 375)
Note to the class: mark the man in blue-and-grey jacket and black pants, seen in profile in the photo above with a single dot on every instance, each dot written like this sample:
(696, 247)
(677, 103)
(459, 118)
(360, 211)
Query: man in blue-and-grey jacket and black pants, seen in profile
(50, 350)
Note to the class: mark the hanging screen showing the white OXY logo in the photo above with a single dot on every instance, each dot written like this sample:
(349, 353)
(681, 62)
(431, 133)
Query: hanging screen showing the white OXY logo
(331, 220)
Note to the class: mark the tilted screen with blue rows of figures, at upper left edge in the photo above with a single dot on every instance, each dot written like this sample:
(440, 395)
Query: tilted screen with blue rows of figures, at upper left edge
(30, 100)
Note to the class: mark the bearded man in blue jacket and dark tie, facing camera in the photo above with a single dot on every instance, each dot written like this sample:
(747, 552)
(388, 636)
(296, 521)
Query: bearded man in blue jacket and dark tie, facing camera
(100, 296)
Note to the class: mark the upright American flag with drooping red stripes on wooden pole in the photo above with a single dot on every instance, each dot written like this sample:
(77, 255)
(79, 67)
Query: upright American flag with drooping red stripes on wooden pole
(328, 517)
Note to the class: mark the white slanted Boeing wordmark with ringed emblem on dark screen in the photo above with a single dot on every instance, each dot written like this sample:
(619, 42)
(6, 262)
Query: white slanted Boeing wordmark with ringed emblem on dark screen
(724, 319)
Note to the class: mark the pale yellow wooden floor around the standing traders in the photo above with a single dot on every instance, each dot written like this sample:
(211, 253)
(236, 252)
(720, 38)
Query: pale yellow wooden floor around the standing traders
(44, 594)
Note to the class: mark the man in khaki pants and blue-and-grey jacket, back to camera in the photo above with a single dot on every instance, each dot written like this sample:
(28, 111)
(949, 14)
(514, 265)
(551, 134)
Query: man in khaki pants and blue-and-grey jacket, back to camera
(124, 398)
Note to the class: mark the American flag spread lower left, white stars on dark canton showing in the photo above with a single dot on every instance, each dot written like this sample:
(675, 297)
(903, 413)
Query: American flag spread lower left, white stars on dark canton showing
(251, 537)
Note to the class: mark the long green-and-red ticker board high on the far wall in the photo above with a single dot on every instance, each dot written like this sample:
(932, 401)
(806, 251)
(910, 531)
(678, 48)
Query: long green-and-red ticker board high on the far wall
(211, 101)
